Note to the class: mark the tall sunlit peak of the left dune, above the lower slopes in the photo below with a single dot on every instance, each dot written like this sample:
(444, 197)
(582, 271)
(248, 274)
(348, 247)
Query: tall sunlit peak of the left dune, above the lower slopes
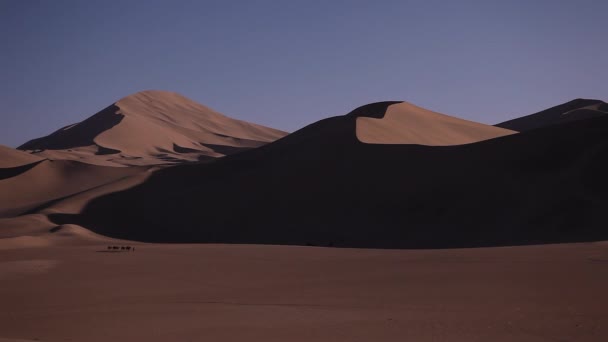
(152, 127)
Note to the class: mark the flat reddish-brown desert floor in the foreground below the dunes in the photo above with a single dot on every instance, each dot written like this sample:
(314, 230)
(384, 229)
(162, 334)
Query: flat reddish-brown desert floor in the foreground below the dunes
(281, 293)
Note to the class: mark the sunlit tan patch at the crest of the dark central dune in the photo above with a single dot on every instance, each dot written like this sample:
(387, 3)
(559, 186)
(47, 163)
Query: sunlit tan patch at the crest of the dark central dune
(405, 123)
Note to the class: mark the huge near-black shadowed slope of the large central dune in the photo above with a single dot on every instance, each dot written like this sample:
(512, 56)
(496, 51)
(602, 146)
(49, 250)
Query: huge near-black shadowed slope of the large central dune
(322, 186)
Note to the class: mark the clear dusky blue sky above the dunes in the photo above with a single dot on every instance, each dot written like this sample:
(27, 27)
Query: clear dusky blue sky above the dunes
(289, 63)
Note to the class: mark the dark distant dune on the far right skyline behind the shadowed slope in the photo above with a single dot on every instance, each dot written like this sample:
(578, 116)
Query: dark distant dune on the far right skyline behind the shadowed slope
(574, 110)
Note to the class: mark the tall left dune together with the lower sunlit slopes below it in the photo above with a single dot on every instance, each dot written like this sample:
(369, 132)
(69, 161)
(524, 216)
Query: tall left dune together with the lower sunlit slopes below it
(63, 171)
